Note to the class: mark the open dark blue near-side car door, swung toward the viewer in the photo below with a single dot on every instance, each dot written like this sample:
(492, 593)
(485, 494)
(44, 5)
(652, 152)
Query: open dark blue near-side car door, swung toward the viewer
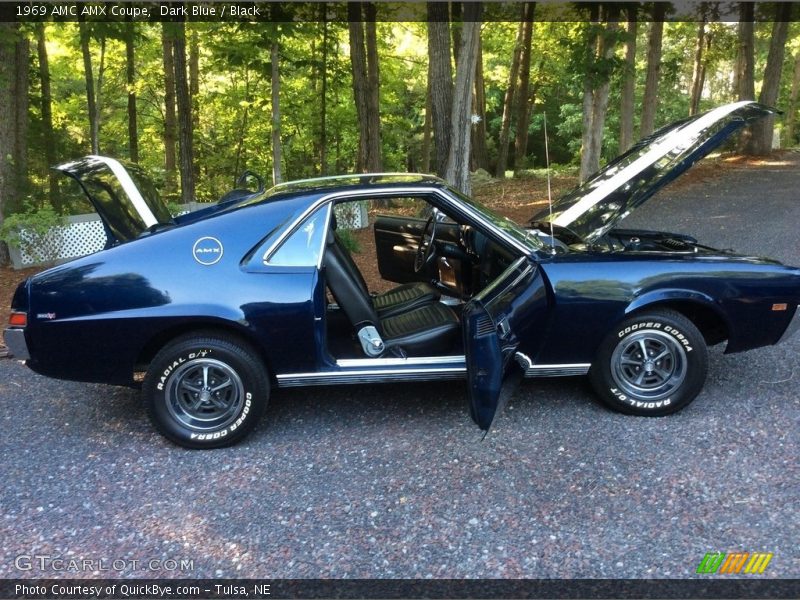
(493, 322)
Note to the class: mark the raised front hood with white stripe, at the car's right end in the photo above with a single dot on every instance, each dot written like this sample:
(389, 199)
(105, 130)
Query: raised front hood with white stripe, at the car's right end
(608, 196)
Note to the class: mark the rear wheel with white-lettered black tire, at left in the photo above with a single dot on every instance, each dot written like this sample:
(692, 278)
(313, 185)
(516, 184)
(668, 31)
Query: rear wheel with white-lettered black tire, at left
(206, 391)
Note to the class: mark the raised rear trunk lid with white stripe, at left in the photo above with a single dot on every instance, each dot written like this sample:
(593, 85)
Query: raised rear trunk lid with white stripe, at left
(125, 199)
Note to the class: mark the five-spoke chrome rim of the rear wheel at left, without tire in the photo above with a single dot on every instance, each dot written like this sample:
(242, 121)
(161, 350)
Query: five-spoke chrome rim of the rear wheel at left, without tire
(204, 394)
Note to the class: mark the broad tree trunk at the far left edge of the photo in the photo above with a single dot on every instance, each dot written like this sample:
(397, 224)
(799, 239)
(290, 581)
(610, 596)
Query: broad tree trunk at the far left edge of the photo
(14, 52)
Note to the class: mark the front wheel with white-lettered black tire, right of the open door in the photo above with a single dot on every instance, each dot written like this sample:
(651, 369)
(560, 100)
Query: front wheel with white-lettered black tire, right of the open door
(652, 364)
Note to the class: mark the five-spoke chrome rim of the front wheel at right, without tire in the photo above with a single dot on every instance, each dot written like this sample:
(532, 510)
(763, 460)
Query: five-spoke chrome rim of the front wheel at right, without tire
(649, 365)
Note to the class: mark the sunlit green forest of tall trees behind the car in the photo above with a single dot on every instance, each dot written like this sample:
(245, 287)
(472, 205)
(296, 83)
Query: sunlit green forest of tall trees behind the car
(349, 89)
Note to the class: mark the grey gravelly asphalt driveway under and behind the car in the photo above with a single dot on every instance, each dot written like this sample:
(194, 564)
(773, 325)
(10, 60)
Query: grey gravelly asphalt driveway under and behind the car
(395, 481)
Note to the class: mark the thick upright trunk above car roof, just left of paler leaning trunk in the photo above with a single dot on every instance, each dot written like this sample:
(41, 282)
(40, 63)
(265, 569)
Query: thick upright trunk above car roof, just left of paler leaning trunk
(440, 81)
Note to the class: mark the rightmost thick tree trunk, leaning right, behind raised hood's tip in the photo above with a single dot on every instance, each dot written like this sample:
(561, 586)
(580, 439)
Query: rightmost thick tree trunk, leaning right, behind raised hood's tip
(762, 130)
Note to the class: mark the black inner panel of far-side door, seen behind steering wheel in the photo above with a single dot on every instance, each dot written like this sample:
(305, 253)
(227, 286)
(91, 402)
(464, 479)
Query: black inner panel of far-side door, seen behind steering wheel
(396, 242)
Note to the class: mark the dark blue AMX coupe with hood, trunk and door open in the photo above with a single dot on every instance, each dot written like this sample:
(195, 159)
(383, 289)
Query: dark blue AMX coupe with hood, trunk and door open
(213, 308)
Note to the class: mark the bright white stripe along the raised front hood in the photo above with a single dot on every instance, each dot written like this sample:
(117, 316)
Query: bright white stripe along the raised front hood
(684, 136)
